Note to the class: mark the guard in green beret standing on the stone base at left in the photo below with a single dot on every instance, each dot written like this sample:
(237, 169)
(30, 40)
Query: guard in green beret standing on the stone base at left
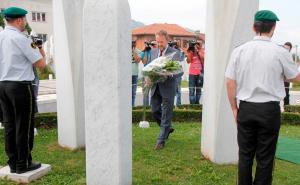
(17, 56)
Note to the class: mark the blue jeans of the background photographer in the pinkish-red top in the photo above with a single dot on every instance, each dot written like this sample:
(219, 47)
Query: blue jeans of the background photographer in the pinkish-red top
(194, 89)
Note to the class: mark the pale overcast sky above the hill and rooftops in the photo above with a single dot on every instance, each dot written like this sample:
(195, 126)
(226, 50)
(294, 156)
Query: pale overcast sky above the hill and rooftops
(192, 14)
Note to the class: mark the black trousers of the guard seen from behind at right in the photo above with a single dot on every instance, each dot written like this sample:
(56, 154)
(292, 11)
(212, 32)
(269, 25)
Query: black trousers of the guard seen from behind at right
(258, 129)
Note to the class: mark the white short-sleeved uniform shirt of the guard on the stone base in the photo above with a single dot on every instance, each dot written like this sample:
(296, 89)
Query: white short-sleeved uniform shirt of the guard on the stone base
(16, 56)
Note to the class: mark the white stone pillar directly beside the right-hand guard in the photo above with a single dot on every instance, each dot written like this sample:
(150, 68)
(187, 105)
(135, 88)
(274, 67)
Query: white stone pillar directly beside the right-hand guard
(229, 24)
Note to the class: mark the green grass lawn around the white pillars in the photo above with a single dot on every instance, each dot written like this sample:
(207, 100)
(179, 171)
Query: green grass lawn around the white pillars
(179, 163)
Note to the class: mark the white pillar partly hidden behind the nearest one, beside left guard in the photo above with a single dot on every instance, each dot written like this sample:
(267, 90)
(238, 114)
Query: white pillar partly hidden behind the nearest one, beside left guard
(68, 58)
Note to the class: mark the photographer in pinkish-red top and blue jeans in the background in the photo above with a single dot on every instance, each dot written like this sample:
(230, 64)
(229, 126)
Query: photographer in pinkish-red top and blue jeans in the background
(195, 57)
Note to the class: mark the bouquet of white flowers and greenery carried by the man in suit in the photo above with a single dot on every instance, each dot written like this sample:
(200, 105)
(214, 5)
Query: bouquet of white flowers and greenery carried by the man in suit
(160, 69)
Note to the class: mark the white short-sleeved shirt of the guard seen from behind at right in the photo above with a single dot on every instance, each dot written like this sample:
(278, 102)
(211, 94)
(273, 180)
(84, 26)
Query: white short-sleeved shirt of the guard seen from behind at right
(259, 68)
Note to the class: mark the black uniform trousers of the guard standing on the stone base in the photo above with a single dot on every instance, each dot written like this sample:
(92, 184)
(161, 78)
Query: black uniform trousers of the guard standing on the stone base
(16, 99)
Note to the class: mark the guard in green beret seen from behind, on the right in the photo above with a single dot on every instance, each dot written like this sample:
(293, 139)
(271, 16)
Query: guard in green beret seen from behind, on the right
(255, 76)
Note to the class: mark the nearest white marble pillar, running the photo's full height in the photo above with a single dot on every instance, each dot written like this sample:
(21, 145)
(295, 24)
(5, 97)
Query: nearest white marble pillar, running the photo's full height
(107, 89)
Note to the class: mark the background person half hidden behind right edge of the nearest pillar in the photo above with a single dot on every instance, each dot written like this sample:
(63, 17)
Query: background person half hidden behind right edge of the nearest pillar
(135, 70)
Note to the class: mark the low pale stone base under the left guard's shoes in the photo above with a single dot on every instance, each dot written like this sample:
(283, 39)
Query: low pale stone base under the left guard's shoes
(25, 177)
